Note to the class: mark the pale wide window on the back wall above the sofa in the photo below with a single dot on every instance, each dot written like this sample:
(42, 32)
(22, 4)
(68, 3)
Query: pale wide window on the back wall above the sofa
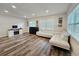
(47, 25)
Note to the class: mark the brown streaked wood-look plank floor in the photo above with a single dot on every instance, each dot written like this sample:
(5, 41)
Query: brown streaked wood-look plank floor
(29, 45)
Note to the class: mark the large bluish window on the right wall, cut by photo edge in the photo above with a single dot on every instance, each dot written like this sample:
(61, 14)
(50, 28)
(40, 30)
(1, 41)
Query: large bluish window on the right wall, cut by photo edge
(73, 23)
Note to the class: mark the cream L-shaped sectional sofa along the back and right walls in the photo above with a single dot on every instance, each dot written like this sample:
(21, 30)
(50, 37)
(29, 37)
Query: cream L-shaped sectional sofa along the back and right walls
(59, 39)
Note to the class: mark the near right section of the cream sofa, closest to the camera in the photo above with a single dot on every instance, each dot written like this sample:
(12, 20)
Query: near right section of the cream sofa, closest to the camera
(58, 41)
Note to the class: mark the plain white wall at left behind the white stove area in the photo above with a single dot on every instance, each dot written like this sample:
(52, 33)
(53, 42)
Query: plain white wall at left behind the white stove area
(6, 22)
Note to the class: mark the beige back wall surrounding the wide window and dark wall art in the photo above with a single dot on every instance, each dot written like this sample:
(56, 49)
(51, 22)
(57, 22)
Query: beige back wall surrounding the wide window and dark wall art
(54, 19)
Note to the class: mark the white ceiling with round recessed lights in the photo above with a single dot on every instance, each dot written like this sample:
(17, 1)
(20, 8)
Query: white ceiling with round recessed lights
(27, 9)
